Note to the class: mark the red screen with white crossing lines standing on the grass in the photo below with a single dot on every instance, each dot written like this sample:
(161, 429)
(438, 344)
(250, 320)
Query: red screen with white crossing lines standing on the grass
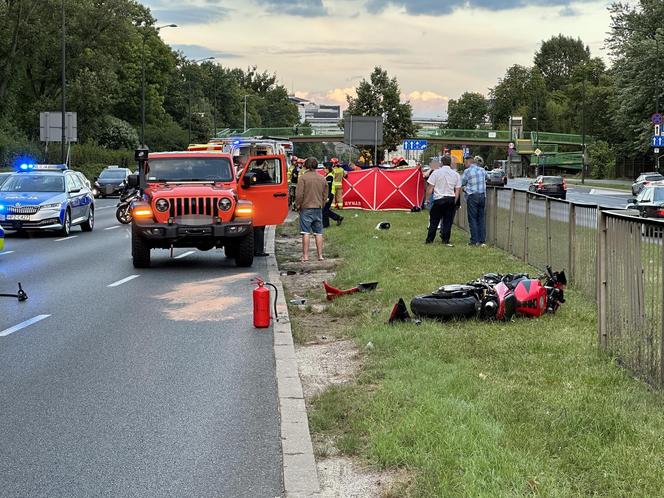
(378, 189)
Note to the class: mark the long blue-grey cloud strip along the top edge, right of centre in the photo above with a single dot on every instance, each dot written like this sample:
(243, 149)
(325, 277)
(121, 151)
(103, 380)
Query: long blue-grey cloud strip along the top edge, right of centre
(441, 8)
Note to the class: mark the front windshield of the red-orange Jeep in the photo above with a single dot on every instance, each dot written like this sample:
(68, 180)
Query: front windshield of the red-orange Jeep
(190, 169)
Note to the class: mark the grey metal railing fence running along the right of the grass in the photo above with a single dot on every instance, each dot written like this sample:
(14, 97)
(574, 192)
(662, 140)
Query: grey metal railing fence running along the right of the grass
(620, 265)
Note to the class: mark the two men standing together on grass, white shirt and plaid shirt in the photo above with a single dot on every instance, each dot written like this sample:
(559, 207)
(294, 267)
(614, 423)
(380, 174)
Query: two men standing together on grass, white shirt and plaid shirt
(443, 196)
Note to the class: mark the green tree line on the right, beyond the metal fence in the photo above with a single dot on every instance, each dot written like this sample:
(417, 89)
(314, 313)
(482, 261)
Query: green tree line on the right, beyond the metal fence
(567, 90)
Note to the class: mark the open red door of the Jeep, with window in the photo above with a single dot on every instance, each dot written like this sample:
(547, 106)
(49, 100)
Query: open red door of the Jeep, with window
(264, 182)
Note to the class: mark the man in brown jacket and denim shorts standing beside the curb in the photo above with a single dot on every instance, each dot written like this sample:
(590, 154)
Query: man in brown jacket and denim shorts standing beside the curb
(310, 197)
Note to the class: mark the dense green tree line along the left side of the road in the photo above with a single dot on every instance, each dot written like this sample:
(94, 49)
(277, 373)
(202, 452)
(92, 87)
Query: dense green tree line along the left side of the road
(108, 43)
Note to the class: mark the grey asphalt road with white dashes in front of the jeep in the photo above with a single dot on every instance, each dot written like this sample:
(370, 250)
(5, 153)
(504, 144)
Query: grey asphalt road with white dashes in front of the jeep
(132, 383)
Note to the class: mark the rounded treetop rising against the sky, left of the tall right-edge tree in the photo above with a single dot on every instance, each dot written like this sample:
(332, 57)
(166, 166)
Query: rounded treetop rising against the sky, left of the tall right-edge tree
(557, 58)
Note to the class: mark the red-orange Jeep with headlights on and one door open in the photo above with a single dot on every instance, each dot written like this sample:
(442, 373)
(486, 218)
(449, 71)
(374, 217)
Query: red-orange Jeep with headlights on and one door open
(194, 199)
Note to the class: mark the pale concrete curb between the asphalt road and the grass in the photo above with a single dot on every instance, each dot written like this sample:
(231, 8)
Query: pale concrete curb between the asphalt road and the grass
(299, 465)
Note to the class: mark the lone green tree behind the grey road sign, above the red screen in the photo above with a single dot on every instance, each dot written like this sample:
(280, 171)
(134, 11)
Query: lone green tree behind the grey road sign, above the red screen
(380, 96)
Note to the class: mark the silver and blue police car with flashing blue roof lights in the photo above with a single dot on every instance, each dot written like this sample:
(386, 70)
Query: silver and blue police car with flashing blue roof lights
(46, 197)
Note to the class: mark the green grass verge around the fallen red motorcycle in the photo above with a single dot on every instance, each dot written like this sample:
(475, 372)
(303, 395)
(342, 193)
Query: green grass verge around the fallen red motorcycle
(481, 409)
